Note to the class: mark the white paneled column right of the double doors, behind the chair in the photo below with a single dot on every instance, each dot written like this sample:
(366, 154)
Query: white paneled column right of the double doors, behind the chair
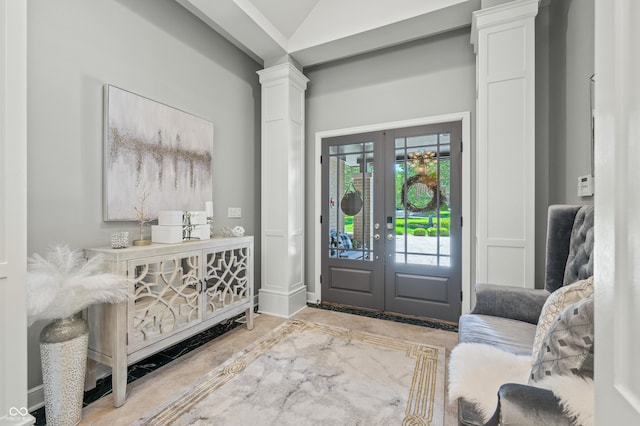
(504, 42)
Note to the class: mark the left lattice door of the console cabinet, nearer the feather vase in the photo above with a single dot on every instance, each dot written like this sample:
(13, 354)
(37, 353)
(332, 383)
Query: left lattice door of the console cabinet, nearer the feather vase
(166, 297)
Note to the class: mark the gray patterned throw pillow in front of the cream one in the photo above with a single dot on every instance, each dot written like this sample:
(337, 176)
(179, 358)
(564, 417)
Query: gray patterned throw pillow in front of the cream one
(567, 348)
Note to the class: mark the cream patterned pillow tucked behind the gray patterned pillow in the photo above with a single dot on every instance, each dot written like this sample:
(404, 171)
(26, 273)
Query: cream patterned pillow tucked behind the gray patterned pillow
(555, 304)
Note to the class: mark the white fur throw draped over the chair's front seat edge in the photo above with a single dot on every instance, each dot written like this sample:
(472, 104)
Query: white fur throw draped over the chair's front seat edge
(476, 372)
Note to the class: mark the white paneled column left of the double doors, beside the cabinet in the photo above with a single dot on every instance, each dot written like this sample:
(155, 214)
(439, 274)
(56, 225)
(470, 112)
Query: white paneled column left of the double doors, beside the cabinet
(282, 292)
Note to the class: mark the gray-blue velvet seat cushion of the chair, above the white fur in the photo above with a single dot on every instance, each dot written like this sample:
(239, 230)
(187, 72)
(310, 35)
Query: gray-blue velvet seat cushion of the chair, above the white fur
(504, 333)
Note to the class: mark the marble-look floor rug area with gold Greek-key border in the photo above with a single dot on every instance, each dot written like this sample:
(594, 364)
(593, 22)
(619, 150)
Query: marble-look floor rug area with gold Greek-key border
(309, 373)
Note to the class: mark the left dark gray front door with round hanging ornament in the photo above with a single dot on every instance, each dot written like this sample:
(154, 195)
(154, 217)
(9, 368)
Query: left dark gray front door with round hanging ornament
(352, 267)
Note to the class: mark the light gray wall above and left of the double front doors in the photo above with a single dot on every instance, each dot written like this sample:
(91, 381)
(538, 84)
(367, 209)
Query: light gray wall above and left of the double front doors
(425, 78)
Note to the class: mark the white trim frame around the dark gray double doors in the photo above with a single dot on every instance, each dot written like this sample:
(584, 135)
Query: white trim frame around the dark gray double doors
(465, 118)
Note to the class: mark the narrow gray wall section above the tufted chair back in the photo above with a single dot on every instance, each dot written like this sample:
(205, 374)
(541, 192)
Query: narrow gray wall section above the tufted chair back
(571, 64)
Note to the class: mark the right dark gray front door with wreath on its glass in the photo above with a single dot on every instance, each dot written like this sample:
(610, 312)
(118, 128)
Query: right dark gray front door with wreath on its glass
(423, 271)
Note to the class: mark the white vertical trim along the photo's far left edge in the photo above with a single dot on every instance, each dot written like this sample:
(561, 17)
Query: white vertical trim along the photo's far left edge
(13, 213)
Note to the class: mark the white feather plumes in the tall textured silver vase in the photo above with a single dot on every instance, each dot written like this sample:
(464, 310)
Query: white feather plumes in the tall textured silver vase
(65, 282)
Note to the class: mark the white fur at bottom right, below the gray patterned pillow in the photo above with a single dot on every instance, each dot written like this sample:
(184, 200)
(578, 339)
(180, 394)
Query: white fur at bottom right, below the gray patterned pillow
(576, 395)
